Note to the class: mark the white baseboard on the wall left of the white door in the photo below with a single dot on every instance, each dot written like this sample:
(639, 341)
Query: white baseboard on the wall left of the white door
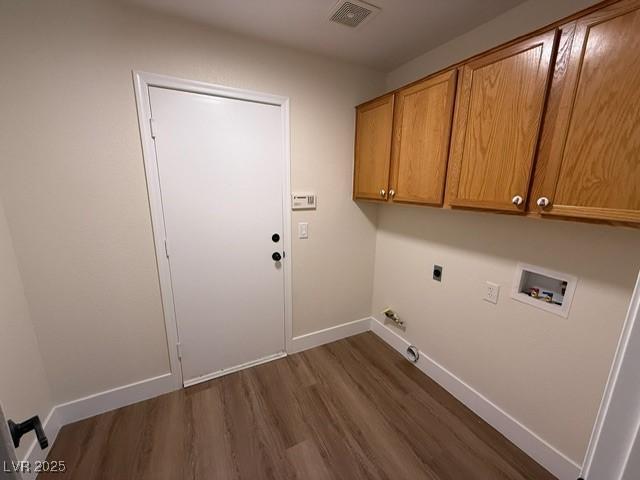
(115, 398)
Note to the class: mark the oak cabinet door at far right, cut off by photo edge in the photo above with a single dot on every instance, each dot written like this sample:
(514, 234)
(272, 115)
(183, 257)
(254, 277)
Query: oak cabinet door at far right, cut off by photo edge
(589, 160)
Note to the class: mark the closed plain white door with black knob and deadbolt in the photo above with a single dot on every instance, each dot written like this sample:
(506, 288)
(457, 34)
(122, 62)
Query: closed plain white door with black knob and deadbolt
(221, 168)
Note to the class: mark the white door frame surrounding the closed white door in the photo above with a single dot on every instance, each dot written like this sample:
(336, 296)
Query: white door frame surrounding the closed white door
(142, 82)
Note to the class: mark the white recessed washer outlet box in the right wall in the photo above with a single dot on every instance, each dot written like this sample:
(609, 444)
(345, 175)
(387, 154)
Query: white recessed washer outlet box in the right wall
(543, 288)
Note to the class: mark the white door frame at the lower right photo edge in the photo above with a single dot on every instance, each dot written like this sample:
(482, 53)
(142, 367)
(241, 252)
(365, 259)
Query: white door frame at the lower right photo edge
(617, 425)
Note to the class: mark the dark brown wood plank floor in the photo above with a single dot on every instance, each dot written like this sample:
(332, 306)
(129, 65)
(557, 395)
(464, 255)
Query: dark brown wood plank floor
(353, 409)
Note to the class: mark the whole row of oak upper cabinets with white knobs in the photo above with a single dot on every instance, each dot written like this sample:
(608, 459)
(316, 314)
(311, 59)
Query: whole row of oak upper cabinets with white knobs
(548, 125)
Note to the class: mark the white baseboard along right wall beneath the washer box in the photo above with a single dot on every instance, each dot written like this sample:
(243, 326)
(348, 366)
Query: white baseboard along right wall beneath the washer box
(545, 454)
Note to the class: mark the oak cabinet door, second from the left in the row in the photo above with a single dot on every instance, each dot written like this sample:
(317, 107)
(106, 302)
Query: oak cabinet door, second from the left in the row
(421, 134)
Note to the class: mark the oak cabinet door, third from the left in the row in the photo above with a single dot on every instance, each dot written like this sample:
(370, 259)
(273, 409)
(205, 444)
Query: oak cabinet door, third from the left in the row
(496, 125)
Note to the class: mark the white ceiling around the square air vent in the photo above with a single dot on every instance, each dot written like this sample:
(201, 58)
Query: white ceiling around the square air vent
(403, 29)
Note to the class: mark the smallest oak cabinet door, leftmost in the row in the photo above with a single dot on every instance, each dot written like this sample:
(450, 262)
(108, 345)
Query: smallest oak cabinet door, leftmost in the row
(374, 122)
